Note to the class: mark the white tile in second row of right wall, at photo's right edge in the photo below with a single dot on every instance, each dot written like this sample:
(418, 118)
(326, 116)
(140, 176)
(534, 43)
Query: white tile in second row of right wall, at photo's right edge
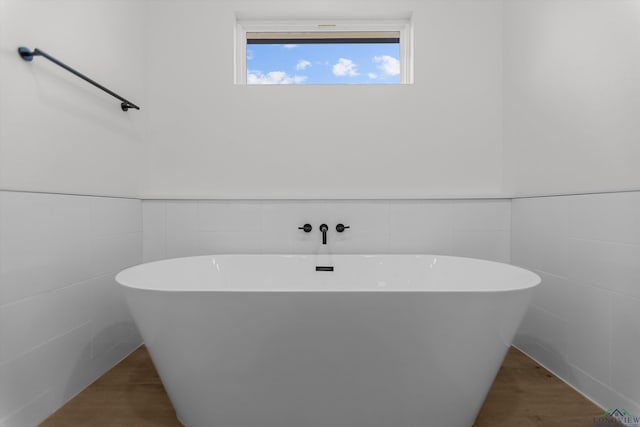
(613, 266)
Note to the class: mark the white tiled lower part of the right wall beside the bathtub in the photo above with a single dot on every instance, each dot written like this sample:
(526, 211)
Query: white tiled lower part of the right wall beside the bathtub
(584, 323)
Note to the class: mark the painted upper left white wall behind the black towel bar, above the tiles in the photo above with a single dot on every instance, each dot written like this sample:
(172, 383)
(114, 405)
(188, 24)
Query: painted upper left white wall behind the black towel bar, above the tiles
(57, 132)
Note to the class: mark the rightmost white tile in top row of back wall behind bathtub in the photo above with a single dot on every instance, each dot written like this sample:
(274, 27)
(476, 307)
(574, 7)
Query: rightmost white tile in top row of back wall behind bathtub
(481, 215)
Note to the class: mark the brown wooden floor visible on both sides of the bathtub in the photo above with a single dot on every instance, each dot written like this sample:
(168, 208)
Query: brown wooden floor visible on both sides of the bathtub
(131, 394)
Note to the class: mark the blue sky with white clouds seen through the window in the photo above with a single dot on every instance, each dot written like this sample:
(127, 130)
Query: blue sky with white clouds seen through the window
(358, 63)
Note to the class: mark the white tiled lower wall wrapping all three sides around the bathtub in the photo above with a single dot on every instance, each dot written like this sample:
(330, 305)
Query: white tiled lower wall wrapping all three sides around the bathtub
(63, 321)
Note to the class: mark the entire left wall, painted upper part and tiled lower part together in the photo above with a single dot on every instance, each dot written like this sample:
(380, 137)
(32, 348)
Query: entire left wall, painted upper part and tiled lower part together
(63, 321)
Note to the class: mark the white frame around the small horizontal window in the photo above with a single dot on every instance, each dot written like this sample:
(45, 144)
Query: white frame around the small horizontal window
(403, 26)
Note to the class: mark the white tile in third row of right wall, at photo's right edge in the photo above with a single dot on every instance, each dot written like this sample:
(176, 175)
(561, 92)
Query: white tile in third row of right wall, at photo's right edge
(626, 347)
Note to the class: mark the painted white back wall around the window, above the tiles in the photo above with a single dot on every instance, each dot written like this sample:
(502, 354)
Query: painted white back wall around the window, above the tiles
(209, 138)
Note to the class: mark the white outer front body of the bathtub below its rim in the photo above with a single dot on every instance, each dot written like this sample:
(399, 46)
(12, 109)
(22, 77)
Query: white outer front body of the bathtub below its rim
(327, 359)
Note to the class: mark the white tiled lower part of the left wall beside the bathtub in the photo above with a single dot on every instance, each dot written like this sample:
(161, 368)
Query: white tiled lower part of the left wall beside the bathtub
(63, 320)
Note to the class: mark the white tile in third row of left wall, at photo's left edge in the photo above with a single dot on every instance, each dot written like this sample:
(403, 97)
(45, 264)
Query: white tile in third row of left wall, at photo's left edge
(30, 322)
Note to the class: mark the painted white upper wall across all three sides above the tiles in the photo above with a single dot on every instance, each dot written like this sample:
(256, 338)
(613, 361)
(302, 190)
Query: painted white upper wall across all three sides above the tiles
(570, 95)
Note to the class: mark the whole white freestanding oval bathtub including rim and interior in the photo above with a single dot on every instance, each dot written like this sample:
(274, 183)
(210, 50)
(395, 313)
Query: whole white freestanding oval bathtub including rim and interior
(380, 341)
